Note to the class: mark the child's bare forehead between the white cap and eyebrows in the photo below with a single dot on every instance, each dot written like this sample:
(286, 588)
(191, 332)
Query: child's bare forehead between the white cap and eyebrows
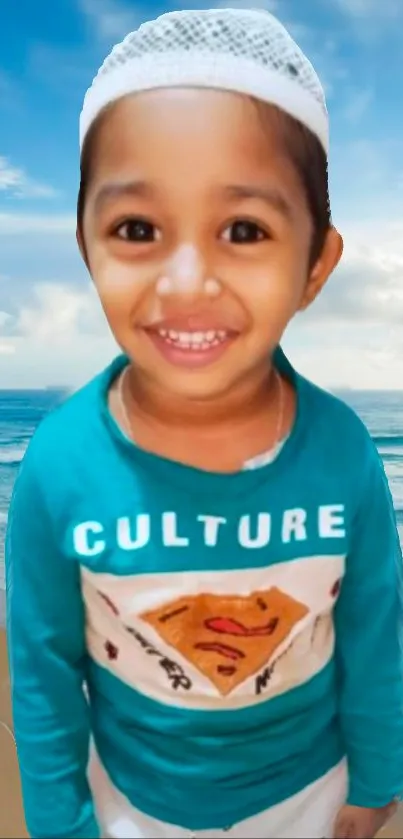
(200, 124)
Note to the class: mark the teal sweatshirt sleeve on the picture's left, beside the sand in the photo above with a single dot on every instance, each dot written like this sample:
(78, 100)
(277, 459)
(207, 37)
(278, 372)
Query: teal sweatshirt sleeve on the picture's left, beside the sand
(45, 631)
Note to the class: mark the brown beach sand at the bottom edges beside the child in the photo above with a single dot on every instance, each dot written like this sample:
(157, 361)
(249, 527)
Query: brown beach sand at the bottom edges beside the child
(11, 814)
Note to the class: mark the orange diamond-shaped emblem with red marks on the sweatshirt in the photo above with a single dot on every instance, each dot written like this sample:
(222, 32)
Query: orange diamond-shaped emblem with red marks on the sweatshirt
(227, 637)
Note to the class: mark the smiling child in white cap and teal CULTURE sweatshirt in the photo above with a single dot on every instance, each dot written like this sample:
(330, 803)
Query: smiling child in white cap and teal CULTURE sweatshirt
(200, 536)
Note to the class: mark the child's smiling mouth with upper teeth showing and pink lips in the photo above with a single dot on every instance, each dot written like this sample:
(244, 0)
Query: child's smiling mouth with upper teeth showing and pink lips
(191, 348)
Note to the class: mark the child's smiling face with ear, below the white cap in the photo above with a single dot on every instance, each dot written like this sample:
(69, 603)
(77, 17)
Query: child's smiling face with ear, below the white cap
(186, 185)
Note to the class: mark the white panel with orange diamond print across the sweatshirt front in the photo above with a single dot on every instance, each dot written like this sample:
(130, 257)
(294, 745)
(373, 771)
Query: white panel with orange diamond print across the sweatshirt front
(215, 640)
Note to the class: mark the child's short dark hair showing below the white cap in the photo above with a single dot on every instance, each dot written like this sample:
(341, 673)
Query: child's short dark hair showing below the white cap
(301, 145)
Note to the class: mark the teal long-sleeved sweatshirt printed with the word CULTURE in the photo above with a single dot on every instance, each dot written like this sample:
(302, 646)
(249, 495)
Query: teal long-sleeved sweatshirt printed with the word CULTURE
(238, 634)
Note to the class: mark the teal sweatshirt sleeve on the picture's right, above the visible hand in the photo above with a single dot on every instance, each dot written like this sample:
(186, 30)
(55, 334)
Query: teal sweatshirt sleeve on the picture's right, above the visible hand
(369, 626)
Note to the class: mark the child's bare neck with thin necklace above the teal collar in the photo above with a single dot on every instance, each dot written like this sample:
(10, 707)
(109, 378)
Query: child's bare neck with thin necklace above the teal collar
(220, 435)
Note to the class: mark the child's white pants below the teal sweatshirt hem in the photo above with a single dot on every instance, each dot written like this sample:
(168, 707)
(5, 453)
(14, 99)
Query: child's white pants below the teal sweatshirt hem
(310, 814)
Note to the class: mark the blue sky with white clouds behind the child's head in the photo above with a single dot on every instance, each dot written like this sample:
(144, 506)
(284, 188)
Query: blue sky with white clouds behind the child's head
(51, 327)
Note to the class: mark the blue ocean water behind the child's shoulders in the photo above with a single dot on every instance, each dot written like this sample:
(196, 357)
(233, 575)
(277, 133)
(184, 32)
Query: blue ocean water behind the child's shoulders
(22, 411)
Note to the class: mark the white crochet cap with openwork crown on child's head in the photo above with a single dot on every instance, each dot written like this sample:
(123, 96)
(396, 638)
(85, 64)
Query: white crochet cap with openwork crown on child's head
(241, 50)
